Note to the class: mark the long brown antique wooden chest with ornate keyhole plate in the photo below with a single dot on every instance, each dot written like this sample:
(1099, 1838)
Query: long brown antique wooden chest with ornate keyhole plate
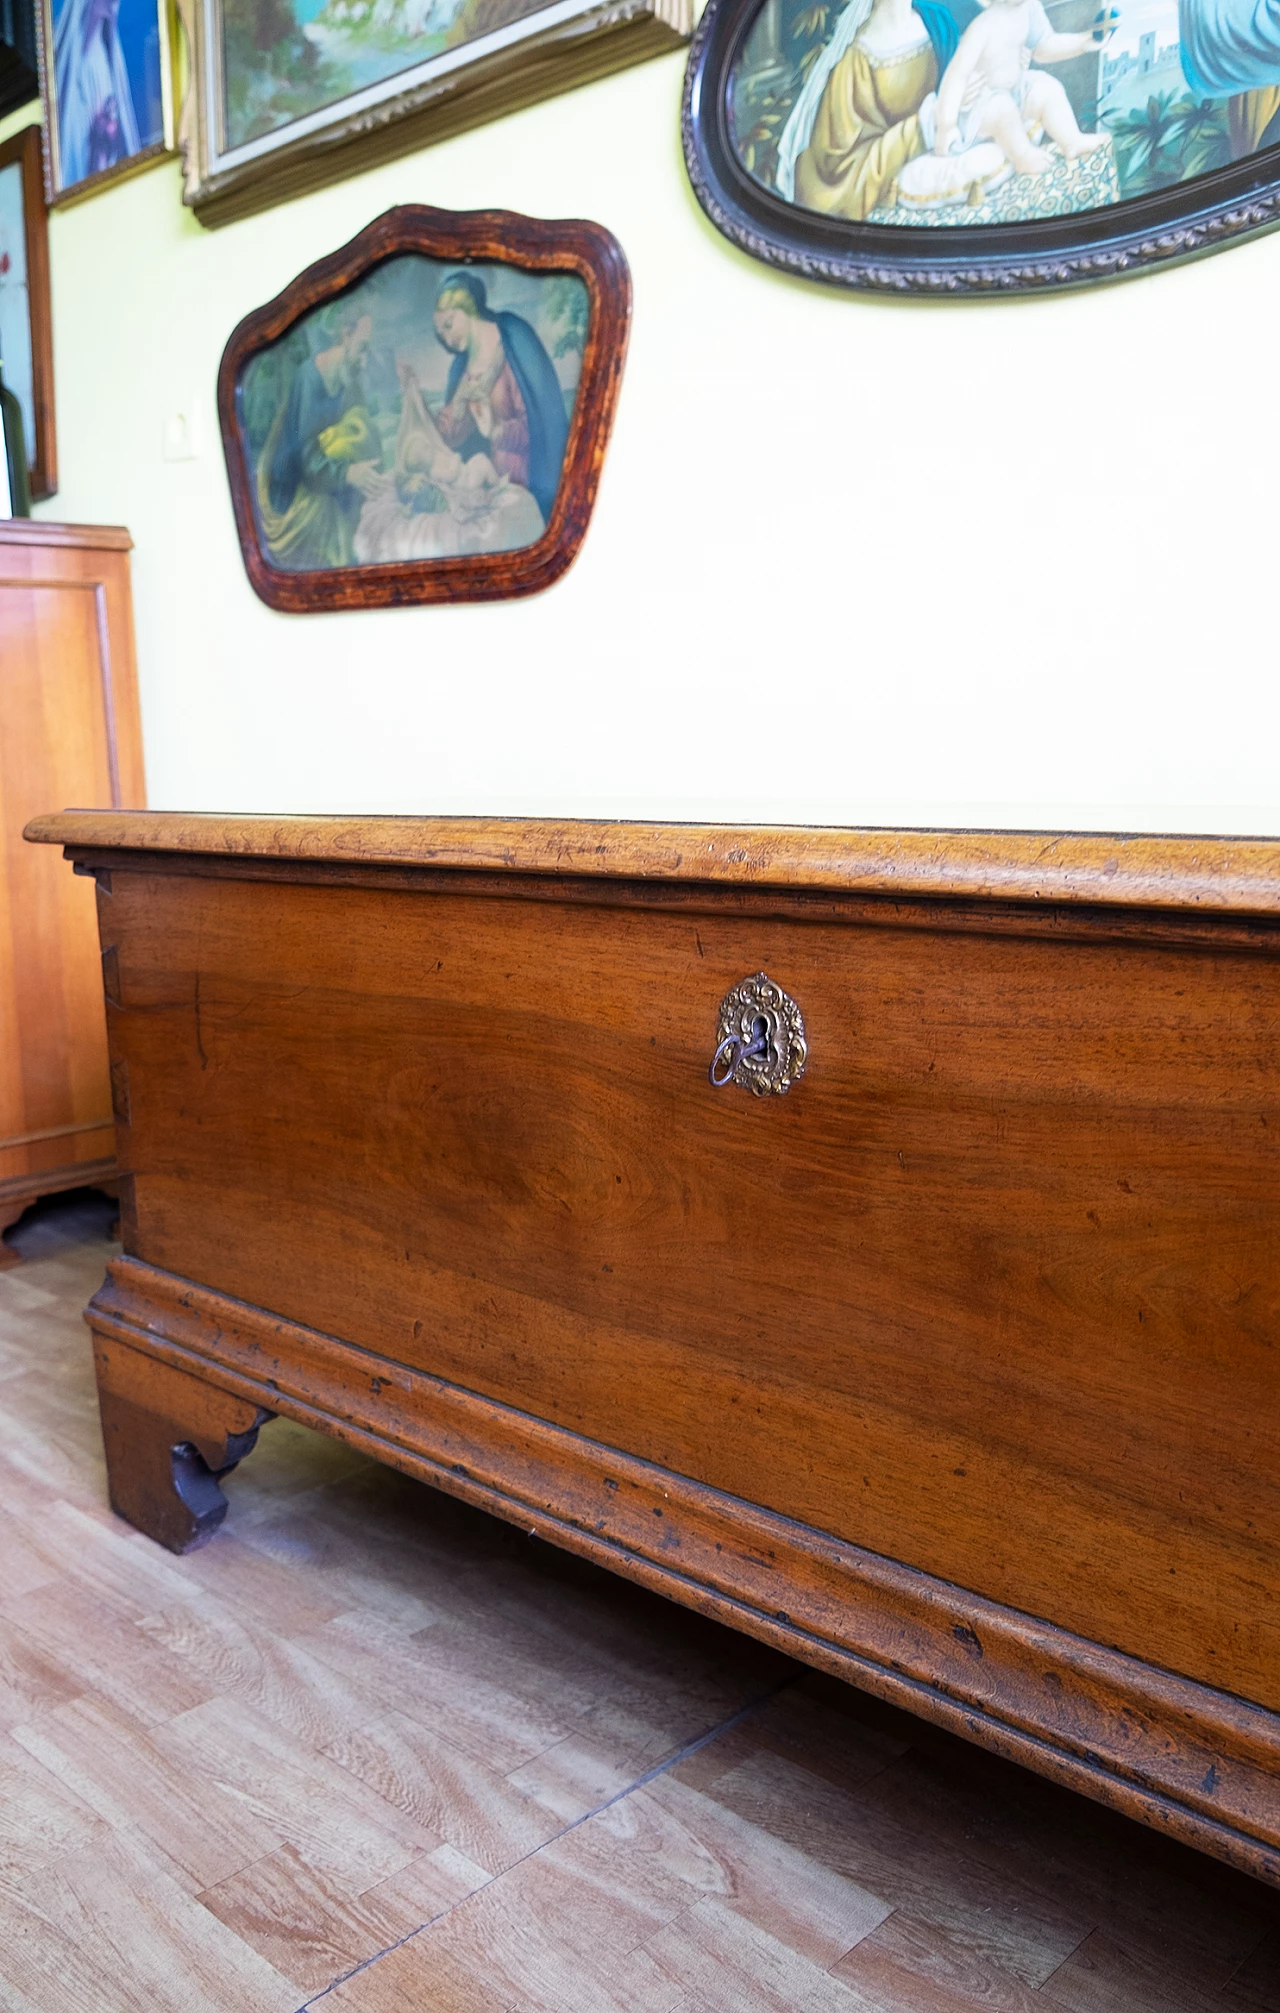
(949, 1370)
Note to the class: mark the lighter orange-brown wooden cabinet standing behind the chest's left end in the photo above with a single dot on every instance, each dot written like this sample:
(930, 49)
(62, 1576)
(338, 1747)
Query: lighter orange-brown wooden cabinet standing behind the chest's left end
(69, 734)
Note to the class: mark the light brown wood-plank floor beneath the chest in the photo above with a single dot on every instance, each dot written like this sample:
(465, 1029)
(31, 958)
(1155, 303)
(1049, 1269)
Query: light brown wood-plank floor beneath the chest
(377, 1752)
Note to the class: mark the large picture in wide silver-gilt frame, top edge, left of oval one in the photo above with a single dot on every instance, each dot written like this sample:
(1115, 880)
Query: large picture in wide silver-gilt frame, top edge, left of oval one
(293, 94)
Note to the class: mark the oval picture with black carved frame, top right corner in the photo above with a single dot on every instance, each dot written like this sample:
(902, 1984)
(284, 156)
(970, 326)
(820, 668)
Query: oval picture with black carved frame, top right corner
(985, 146)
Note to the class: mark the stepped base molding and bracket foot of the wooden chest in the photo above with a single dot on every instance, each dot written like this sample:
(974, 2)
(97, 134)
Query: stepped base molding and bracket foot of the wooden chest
(1188, 1760)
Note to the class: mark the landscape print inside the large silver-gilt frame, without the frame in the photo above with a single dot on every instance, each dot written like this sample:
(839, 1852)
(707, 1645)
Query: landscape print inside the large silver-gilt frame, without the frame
(285, 59)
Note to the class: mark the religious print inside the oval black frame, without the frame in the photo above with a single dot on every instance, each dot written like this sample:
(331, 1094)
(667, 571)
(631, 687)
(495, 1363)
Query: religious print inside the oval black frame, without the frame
(997, 112)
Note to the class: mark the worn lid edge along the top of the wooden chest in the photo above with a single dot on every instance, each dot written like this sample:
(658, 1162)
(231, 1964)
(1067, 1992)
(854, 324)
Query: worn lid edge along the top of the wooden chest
(1126, 871)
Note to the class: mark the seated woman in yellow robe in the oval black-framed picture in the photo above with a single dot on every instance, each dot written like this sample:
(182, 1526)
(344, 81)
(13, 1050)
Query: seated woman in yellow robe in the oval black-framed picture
(856, 122)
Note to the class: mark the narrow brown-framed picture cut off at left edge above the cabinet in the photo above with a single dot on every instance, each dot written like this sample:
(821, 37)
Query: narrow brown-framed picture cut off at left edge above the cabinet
(25, 319)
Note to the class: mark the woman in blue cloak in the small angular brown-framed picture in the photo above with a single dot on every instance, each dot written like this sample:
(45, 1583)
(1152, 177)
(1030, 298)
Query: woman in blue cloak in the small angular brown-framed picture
(502, 398)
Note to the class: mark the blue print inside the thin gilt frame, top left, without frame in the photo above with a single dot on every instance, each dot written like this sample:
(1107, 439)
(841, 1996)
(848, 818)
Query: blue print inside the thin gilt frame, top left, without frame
(108, 84)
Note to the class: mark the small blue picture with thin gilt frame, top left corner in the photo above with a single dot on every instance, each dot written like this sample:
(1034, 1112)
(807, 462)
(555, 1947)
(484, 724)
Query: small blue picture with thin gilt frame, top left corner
(108, 88)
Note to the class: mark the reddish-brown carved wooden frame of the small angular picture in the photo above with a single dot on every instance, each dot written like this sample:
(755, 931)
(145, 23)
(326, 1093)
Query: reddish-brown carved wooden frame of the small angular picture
(496, 237)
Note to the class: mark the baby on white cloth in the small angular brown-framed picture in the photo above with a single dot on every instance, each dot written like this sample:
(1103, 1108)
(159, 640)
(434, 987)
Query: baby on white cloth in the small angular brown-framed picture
(434, 504)
